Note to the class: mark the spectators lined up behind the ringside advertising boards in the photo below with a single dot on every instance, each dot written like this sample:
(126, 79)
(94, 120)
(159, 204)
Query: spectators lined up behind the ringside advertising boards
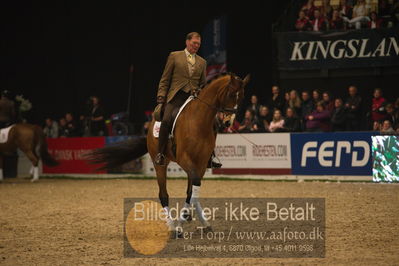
(292, 111)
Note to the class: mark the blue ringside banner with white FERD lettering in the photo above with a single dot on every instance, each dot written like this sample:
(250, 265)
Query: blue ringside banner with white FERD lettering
(331, 153)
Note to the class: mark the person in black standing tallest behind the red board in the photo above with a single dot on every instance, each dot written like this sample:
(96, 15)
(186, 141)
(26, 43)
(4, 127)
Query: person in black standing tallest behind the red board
(97, 118)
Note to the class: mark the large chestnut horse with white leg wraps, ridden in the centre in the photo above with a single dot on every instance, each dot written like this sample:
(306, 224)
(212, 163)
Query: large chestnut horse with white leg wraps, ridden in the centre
(194, 140)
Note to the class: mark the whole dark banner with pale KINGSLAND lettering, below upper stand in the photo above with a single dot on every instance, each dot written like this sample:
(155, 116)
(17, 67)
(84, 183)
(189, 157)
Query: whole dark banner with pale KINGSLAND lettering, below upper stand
(338, 49)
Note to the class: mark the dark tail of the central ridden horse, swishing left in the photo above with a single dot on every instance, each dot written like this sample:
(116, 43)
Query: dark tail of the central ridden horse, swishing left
(118, 154)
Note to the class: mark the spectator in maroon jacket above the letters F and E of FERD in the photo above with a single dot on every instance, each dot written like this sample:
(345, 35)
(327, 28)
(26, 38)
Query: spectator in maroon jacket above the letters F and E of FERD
(319, 119)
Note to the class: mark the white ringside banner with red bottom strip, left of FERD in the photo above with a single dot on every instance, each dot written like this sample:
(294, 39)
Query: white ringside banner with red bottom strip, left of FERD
(254, 153)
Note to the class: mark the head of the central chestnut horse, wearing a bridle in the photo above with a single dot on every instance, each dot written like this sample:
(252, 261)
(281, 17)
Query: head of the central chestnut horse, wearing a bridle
(232, 94)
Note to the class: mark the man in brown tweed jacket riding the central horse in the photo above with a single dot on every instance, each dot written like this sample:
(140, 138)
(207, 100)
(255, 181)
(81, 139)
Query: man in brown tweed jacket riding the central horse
(183, 75)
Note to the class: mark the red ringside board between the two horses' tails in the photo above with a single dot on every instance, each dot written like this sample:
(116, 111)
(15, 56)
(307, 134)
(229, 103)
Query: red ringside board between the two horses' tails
(70, 153)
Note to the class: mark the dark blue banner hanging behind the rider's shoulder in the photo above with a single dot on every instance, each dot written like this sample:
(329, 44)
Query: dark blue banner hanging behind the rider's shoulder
(213, 47)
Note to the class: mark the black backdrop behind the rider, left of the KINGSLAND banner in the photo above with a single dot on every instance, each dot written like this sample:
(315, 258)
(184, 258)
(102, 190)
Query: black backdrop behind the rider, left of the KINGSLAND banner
(59, 54)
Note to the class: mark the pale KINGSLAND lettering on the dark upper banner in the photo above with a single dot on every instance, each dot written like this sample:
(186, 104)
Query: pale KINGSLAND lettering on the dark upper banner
(314, 50)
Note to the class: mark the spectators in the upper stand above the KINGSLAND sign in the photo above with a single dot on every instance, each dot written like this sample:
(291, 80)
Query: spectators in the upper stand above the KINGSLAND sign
(344, 14)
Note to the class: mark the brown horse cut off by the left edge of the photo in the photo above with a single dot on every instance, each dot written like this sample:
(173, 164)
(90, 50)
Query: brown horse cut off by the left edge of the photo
(31, 140)
